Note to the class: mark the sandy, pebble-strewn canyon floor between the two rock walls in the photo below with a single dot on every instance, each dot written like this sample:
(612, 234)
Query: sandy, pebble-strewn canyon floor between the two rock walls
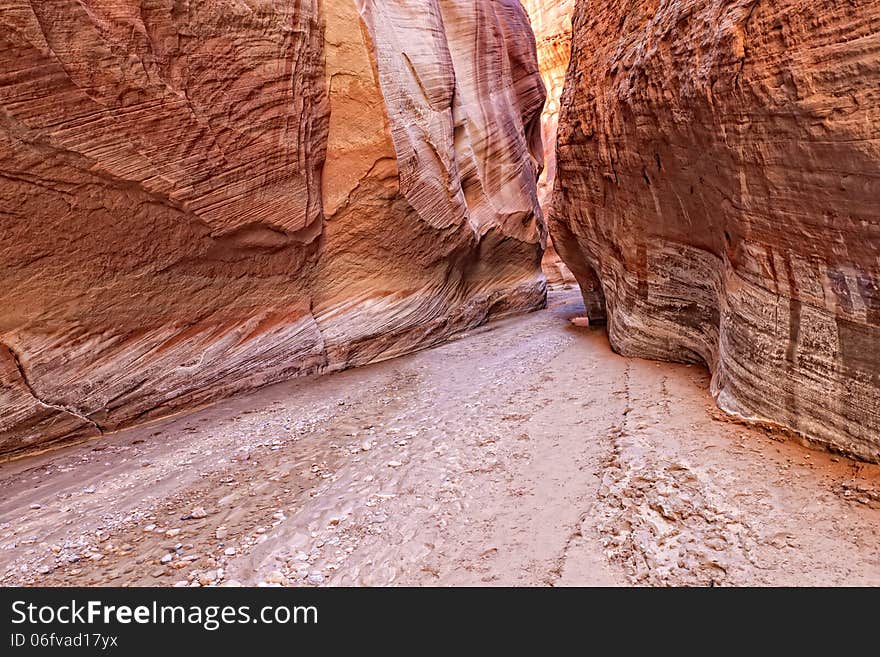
(523, 453)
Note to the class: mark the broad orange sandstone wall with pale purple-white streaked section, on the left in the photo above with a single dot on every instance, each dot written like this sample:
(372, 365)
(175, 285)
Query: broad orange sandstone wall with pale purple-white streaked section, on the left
(197, 199)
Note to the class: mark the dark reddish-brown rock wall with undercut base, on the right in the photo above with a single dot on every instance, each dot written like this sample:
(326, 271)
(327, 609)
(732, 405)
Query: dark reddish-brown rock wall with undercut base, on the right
(717, 196)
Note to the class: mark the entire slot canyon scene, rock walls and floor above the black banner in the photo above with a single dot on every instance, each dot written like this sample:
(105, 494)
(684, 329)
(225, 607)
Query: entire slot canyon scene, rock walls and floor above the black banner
(439, 293)
